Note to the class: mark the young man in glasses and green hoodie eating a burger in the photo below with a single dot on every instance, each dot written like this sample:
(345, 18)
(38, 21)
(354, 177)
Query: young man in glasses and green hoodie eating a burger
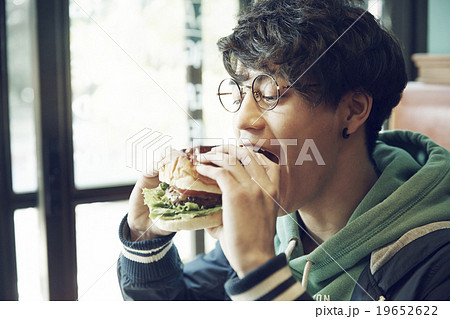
(352, 220)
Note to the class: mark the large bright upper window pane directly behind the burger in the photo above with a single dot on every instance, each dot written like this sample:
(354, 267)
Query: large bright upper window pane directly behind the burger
(128, 74)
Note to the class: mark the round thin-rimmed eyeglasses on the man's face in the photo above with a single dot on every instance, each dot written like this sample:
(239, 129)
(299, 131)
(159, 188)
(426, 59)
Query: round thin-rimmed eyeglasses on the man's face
(265, 92)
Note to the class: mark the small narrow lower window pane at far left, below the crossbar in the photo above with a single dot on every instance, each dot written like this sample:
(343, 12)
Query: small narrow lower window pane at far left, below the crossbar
(27, 239)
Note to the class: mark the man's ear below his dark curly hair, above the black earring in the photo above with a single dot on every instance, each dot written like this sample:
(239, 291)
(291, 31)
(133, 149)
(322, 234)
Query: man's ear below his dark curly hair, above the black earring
(355, 108)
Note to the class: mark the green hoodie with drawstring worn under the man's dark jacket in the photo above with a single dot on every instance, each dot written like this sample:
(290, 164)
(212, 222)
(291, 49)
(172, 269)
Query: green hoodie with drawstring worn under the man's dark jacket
(413, 189)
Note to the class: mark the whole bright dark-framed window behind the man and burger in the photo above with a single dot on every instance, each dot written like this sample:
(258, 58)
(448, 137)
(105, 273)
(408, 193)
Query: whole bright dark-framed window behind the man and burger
(71, 108)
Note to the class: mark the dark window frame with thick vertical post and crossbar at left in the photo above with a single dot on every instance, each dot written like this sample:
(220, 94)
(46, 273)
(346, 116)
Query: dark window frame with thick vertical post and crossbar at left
(57, 196)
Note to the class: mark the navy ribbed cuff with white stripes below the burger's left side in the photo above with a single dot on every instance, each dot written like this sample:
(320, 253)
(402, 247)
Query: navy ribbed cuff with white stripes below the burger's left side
(148, 260)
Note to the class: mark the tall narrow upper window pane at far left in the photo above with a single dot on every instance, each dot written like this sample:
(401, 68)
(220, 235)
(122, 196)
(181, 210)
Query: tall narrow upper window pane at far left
(21, 94)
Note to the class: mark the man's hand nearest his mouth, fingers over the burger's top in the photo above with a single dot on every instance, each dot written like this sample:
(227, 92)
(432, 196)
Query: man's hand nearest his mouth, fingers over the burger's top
(249, 192)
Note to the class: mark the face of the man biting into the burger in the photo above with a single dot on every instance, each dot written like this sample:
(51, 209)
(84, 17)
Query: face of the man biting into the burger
(306, 140)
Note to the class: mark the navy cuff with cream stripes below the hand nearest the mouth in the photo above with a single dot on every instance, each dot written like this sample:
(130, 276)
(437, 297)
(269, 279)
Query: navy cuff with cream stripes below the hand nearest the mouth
(271, 281)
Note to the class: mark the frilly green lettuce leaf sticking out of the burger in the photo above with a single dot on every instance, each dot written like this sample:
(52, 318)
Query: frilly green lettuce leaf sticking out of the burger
(161, 207)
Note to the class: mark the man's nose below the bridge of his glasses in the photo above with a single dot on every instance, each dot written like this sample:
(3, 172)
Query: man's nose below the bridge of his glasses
(250, 115)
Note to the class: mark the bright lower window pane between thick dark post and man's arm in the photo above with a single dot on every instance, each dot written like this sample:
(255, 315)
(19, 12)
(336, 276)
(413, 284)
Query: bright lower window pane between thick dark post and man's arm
(98, 248)
